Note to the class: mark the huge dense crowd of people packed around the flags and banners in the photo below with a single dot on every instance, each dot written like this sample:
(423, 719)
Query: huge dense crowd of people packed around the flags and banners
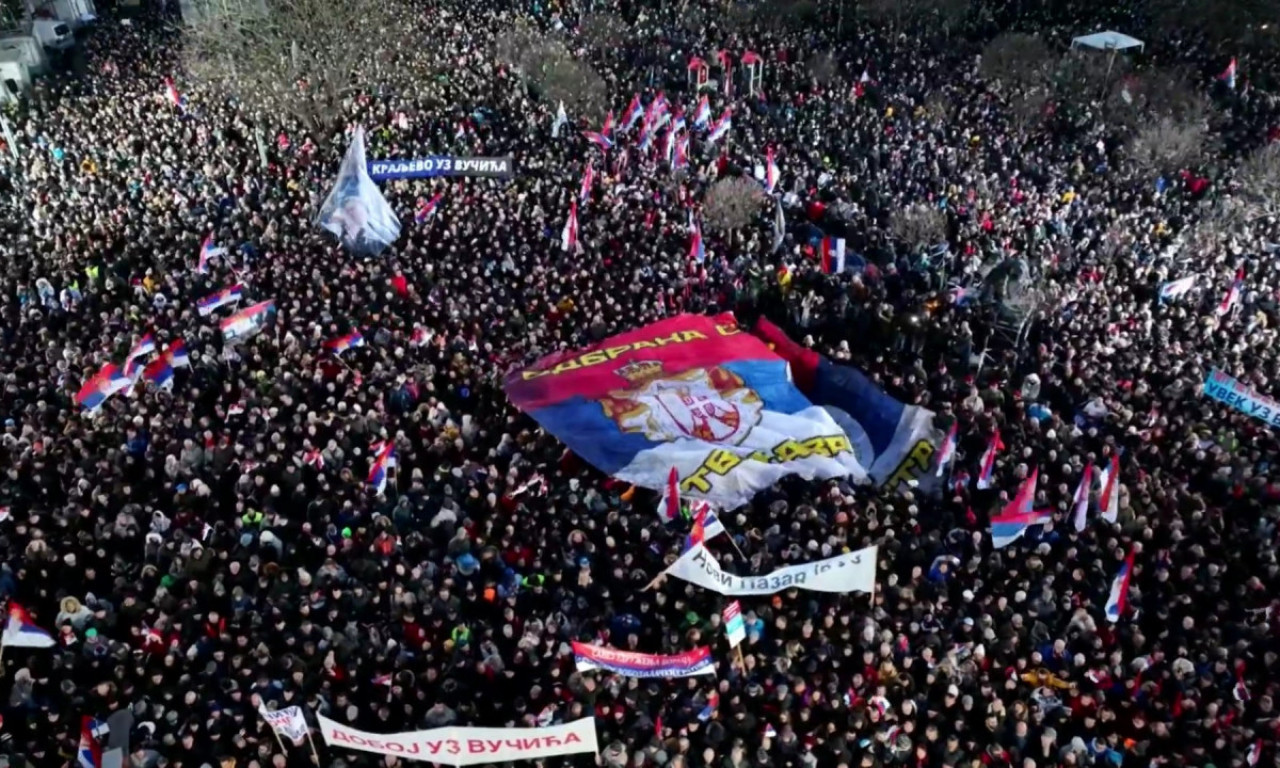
(200, 550)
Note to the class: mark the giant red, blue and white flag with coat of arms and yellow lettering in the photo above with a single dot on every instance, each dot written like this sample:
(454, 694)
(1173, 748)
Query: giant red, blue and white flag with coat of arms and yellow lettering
(693, 394)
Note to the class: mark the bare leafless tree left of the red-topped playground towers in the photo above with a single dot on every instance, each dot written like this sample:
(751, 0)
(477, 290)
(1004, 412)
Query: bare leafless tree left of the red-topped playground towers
(552, 72)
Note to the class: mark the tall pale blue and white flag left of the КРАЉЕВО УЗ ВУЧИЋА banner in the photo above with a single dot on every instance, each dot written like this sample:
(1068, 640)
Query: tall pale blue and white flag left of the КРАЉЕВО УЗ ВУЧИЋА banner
(356, 213)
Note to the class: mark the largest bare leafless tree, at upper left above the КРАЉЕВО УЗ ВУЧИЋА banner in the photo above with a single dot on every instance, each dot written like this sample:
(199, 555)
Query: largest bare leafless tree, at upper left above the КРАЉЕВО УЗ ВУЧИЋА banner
(294, 58)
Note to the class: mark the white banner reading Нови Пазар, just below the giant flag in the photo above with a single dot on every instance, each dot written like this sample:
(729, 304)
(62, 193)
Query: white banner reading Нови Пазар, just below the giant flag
(844, 574)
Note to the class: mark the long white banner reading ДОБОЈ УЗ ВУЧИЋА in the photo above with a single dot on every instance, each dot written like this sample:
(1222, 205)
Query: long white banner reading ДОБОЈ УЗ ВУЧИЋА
(460, 746)
